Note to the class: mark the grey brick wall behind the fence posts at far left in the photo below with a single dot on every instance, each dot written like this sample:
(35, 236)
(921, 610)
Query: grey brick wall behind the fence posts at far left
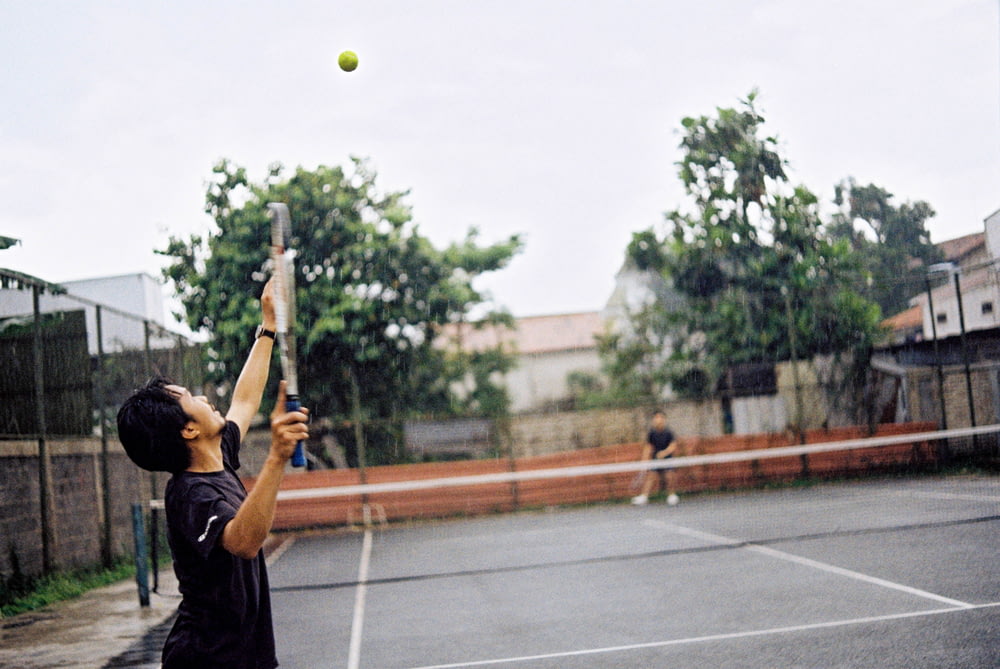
(77, 501)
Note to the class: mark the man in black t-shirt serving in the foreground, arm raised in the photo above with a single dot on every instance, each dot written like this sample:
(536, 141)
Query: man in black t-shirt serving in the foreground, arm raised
(215, 529)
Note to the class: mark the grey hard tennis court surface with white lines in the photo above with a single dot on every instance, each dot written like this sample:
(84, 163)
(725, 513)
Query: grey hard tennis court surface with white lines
(888, 573)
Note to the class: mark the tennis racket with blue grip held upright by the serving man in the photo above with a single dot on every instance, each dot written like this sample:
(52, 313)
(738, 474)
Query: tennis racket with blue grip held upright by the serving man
(283, 271)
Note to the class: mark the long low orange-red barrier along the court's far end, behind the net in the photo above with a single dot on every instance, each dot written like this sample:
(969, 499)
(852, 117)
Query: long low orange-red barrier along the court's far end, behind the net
(339, 497)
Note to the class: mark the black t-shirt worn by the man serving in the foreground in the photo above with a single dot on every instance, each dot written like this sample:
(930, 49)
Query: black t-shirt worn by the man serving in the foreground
(224, 619)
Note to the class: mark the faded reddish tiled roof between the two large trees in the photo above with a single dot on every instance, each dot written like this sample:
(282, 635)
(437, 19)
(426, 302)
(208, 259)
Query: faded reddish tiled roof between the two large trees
(534, 334)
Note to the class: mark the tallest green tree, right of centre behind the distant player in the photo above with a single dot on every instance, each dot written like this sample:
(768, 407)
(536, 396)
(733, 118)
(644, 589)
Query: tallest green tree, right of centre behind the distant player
(758, 277)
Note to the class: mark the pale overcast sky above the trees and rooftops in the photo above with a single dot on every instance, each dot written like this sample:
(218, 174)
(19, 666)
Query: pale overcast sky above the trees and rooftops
(555, 120)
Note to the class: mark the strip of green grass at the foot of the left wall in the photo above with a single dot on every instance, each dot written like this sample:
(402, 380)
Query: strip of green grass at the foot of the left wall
(31, 593)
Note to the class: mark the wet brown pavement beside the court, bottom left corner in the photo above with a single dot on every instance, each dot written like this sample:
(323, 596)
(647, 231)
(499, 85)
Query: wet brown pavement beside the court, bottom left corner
(105, 627)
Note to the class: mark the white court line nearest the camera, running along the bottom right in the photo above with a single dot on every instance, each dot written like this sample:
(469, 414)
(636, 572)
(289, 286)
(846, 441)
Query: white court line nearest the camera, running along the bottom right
(708, 638)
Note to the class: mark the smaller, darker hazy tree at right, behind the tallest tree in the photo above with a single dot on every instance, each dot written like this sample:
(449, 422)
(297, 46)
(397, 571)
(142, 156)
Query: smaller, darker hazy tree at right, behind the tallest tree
(891, 242)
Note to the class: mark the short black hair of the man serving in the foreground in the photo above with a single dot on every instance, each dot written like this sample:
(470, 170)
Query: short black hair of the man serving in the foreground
(150, 422)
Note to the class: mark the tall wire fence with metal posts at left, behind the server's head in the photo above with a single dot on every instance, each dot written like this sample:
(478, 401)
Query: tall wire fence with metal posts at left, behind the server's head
(66, 364)
